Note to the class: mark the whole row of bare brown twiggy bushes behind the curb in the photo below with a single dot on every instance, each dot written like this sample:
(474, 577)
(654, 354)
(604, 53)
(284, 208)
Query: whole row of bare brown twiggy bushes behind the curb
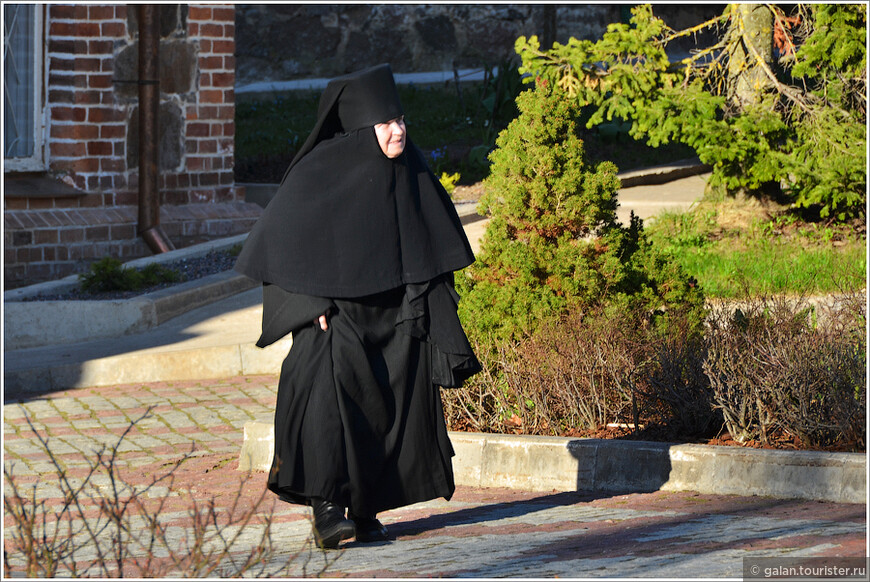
(768, 368)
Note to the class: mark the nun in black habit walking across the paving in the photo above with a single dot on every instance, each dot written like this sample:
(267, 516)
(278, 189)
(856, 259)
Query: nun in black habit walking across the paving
(356, 253)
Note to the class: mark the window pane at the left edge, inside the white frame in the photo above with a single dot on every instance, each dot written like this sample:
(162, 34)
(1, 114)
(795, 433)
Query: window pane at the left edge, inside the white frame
(19, 60)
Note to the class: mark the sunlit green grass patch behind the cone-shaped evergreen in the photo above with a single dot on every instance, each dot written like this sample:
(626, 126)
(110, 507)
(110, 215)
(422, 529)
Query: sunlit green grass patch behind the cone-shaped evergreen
(740, 248)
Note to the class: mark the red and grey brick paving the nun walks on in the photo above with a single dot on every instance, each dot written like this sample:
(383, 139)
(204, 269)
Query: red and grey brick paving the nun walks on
(180, 457)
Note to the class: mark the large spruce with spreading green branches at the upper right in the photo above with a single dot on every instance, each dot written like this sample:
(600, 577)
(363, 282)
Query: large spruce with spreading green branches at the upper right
(802, 130)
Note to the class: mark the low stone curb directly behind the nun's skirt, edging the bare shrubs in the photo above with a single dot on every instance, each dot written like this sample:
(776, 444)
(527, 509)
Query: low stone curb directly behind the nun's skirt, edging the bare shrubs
(536, 463)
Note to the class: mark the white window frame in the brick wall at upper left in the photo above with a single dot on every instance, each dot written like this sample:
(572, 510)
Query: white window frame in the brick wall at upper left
(35, 162)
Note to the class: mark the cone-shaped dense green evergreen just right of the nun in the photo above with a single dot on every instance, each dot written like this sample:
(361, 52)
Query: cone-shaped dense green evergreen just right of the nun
(553, 241)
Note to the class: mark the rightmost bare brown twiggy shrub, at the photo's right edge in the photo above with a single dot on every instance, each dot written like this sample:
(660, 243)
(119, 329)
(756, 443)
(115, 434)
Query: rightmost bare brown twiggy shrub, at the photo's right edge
(779, 364)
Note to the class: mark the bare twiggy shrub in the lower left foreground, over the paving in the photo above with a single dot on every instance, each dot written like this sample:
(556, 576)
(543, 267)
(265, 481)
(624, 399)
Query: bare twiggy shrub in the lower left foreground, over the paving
(105, 527)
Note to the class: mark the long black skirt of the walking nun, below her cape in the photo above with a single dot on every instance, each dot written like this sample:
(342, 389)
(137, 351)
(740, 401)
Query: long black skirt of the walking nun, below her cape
(358, 419)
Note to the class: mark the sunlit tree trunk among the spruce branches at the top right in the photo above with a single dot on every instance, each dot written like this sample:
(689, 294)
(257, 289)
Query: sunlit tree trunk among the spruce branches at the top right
(751, 48)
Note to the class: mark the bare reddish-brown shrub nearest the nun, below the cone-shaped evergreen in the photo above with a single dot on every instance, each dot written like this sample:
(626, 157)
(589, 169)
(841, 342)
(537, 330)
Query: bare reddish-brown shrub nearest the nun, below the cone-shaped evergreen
(571, 374)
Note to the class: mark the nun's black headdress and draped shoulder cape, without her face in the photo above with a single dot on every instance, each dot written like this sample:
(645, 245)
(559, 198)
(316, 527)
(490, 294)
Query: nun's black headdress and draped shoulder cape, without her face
(347, 221)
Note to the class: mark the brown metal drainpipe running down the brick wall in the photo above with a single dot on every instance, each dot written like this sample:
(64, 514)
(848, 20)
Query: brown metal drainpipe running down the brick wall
(149, 101)
